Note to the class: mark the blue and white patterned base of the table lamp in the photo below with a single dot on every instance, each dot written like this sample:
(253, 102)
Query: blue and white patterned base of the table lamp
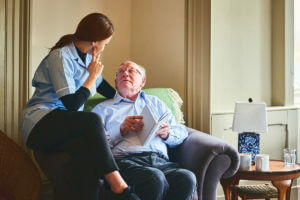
(249, 143)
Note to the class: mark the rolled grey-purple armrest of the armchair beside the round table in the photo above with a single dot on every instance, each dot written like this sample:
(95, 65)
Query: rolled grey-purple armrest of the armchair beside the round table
(210, 159)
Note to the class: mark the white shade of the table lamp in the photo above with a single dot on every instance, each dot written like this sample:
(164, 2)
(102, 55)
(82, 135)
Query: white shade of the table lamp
(250, 117)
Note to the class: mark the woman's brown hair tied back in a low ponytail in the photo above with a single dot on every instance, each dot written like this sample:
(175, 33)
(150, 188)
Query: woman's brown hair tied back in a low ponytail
(93, 27)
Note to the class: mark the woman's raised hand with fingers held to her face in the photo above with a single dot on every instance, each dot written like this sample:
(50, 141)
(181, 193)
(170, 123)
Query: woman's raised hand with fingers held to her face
(95, 69)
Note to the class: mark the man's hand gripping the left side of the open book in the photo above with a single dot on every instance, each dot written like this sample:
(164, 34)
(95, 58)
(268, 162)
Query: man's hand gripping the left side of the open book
(132, 123)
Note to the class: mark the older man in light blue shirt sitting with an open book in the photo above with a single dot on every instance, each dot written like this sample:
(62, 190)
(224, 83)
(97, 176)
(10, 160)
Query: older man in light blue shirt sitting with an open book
(147, 167)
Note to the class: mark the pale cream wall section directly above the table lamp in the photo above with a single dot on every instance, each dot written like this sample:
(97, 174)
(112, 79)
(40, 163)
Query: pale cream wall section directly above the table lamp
(240, 52)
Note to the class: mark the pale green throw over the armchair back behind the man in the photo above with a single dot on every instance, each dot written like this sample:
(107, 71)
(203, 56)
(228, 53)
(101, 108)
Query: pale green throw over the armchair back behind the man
(169, 96)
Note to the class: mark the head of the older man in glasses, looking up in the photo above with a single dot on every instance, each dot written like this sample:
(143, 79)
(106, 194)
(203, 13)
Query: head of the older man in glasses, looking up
(129, 80)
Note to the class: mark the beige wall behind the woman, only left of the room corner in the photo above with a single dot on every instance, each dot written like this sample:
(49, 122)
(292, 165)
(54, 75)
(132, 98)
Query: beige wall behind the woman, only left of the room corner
(52, 19)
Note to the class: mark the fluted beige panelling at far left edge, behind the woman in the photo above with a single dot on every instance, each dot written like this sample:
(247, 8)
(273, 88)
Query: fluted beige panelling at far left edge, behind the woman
(14, 64)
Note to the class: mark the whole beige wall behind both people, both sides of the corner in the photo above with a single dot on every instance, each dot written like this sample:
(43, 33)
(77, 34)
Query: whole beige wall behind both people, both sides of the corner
(148, 32)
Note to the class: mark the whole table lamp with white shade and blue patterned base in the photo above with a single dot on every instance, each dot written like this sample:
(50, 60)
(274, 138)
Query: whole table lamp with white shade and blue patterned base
(249, 120)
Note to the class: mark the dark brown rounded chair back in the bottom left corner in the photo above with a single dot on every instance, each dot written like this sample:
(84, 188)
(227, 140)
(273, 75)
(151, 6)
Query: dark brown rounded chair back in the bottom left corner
(19, 176)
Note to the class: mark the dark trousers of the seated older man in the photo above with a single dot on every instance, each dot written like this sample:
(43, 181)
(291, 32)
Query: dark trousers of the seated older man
(155, 178)
